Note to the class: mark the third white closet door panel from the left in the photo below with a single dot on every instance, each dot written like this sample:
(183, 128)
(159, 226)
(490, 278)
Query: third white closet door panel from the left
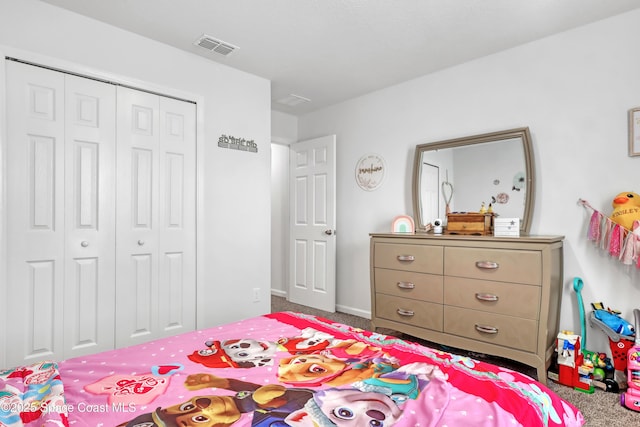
(137, 208)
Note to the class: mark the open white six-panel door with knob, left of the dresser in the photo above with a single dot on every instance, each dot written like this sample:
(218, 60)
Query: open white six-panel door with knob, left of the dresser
(312, 267)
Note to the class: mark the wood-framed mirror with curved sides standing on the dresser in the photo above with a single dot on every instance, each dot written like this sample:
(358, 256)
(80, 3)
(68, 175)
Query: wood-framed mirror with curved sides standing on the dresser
(463, 174)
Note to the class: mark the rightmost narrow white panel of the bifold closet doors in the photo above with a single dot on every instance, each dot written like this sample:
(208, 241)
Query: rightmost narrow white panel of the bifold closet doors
(177, 216)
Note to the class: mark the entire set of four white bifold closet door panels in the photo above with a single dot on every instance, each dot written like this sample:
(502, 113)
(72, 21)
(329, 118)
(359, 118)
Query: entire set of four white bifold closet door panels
(101, 203)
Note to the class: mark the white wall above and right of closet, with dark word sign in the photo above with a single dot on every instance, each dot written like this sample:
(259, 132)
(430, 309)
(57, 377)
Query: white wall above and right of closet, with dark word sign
(235, 233)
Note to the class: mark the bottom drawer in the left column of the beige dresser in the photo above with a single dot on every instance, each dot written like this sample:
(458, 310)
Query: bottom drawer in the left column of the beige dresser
(418, 313)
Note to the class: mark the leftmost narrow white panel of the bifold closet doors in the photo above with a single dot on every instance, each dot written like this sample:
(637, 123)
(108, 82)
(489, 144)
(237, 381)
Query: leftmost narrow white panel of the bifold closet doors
(35, 213)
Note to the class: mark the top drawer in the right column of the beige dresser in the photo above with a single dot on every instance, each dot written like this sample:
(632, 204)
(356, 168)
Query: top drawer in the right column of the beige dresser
(517, 266)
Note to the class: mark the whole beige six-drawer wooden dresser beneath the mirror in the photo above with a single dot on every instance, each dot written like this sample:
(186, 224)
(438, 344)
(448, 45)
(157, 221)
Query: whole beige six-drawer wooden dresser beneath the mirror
(499, 296)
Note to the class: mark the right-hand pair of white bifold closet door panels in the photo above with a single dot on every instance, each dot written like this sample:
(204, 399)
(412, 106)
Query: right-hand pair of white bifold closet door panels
(156, 268)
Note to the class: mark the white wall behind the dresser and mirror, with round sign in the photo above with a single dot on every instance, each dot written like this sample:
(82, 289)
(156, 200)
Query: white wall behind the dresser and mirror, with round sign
(573, 90)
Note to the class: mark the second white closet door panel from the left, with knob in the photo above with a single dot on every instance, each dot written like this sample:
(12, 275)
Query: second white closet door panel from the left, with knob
(90, 216)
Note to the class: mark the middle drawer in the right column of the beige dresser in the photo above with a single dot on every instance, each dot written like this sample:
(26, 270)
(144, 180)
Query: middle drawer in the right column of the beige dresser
(511, 299)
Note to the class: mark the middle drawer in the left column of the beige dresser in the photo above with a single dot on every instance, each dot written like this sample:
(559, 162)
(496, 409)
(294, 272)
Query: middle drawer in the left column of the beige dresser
(409, 284)
